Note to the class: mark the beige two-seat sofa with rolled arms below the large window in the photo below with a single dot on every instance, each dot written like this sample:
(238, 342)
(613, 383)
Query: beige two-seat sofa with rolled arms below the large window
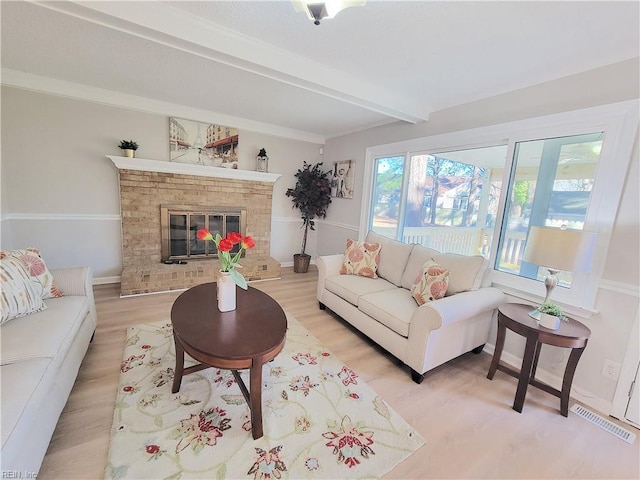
(384, 309)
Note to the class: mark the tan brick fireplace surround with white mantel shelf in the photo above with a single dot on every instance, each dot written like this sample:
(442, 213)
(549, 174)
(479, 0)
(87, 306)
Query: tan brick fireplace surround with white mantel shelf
(145, 185)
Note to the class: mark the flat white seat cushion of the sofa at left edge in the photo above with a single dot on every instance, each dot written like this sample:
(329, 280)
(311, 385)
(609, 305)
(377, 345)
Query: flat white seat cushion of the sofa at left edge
(44, 334)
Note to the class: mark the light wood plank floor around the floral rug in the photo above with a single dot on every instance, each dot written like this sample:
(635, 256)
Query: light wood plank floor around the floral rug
(467, 421)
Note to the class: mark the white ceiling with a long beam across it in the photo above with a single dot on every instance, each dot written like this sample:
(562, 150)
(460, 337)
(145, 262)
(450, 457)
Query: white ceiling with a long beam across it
(265, 66)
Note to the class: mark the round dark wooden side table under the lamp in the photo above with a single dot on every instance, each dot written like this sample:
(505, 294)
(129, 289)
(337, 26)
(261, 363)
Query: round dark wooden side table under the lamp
(571, 334)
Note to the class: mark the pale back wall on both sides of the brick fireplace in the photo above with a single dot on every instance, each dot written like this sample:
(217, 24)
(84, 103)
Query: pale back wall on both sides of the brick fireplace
(60, 193)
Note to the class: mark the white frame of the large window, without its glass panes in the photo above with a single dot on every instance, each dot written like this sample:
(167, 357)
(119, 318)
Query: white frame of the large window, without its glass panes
(619, 121)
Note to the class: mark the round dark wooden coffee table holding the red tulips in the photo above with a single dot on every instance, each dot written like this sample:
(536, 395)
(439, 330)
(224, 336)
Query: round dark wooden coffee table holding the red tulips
(247, 337)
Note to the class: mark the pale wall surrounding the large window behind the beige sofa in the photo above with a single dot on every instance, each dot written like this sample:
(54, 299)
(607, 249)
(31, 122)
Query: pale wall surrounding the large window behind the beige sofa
(617, 299)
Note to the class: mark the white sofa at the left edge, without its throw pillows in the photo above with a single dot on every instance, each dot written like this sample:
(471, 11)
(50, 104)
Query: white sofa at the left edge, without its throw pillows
(41, 354)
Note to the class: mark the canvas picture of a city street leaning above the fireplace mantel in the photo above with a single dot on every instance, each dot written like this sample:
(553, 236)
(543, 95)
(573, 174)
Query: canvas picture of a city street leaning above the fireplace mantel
(203, 144)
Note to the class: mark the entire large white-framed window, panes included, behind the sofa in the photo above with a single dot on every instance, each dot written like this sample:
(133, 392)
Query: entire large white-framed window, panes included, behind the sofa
(479, 191)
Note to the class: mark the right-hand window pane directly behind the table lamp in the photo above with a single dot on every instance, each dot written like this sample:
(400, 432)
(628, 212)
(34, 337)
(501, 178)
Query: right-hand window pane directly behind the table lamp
(550, 186)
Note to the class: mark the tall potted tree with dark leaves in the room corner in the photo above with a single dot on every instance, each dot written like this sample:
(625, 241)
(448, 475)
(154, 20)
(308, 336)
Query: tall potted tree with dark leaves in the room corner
(312, 196)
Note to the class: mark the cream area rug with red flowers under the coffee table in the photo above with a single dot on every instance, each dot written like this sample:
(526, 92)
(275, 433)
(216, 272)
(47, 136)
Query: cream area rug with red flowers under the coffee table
(320, 419)
